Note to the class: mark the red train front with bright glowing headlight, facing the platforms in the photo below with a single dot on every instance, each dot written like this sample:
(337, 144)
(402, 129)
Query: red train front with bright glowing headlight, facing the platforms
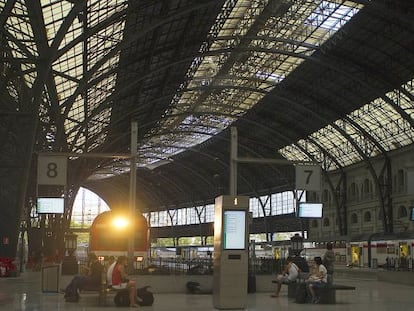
(110, 233)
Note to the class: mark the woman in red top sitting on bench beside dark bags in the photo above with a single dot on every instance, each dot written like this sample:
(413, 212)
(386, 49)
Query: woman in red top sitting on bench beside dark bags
(120, 280)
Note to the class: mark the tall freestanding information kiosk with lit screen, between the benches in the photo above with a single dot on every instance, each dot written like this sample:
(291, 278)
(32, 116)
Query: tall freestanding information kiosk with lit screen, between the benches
(230, 252)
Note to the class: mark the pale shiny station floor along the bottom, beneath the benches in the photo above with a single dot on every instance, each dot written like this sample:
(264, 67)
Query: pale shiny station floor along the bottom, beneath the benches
(24, 293)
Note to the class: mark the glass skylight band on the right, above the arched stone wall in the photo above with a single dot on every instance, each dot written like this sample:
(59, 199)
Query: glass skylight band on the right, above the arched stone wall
(378, 118)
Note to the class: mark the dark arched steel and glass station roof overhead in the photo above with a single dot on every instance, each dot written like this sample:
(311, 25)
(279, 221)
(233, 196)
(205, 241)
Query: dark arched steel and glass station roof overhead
(329, 82)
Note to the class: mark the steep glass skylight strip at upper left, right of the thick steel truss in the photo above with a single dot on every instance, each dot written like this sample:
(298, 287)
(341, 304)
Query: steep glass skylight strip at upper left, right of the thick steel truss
(71, 63)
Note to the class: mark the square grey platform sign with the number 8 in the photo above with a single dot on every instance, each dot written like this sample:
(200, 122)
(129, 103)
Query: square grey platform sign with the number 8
(51, 170)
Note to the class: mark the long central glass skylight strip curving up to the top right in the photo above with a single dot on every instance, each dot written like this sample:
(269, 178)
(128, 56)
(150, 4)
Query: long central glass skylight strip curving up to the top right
(296, 24)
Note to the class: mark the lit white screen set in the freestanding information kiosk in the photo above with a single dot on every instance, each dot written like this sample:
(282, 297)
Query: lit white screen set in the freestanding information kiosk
(234, 228)
